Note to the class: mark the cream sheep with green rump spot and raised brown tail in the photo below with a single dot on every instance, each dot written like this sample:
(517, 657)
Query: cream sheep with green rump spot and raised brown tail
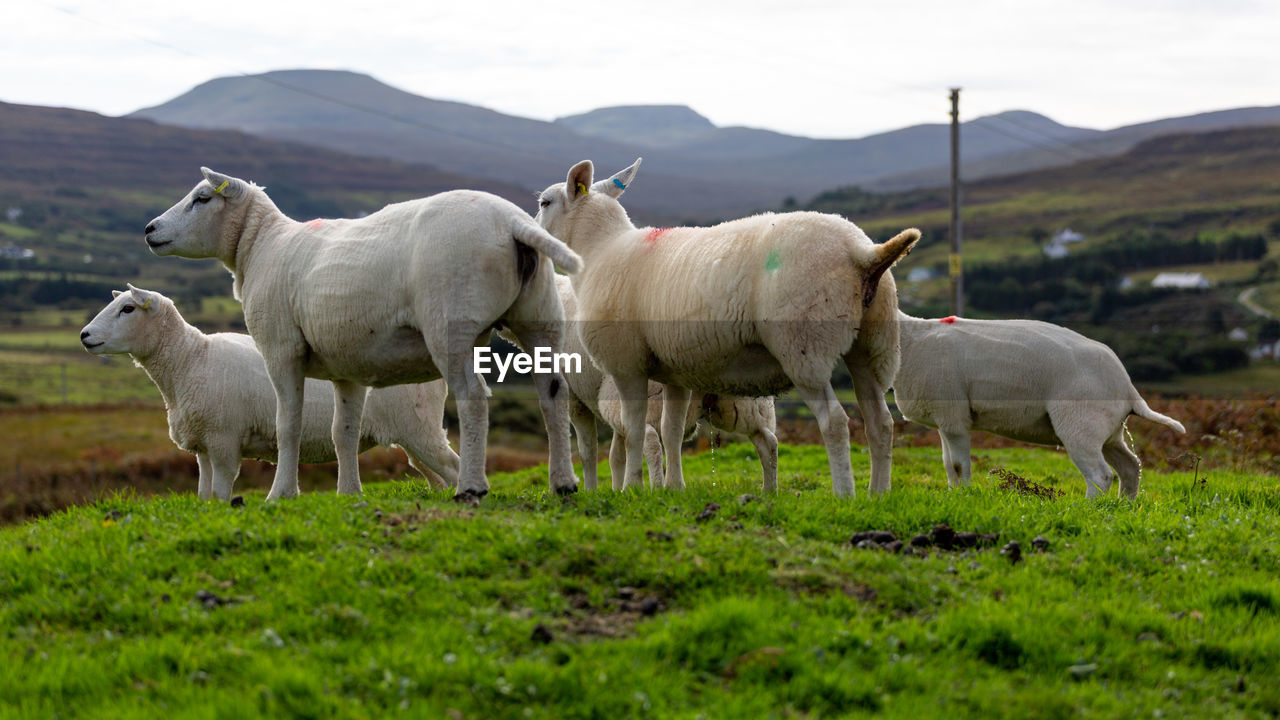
(747, 308)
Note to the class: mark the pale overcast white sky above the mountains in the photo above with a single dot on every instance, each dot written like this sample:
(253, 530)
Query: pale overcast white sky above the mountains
(820, 69)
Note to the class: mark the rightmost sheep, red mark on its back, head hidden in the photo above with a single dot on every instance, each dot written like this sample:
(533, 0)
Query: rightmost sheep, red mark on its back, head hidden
(1025, 380)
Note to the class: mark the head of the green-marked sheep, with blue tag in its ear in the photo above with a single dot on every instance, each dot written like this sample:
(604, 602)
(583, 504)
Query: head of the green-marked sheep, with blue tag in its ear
(580, 207)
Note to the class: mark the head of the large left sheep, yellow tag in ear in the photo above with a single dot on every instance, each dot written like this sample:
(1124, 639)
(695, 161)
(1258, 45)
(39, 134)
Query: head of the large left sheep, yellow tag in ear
(203, 224)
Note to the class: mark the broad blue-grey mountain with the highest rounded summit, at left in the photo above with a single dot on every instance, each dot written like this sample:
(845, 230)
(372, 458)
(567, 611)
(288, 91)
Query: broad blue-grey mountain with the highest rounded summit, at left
(355, 113)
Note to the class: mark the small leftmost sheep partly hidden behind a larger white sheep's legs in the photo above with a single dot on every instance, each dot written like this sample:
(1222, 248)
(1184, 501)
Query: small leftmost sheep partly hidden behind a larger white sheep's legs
(221, 403)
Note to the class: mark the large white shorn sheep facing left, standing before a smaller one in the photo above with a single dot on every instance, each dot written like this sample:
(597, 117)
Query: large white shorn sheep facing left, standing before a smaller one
(399, 297)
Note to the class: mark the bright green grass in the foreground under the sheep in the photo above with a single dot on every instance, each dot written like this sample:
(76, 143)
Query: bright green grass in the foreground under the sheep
(403, 604)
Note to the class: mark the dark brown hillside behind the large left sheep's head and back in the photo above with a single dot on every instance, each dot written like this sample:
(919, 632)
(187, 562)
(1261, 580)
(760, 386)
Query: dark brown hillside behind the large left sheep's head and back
(83, 185)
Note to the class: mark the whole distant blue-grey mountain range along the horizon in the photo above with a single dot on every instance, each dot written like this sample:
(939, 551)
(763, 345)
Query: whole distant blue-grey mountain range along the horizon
(693, 168)
